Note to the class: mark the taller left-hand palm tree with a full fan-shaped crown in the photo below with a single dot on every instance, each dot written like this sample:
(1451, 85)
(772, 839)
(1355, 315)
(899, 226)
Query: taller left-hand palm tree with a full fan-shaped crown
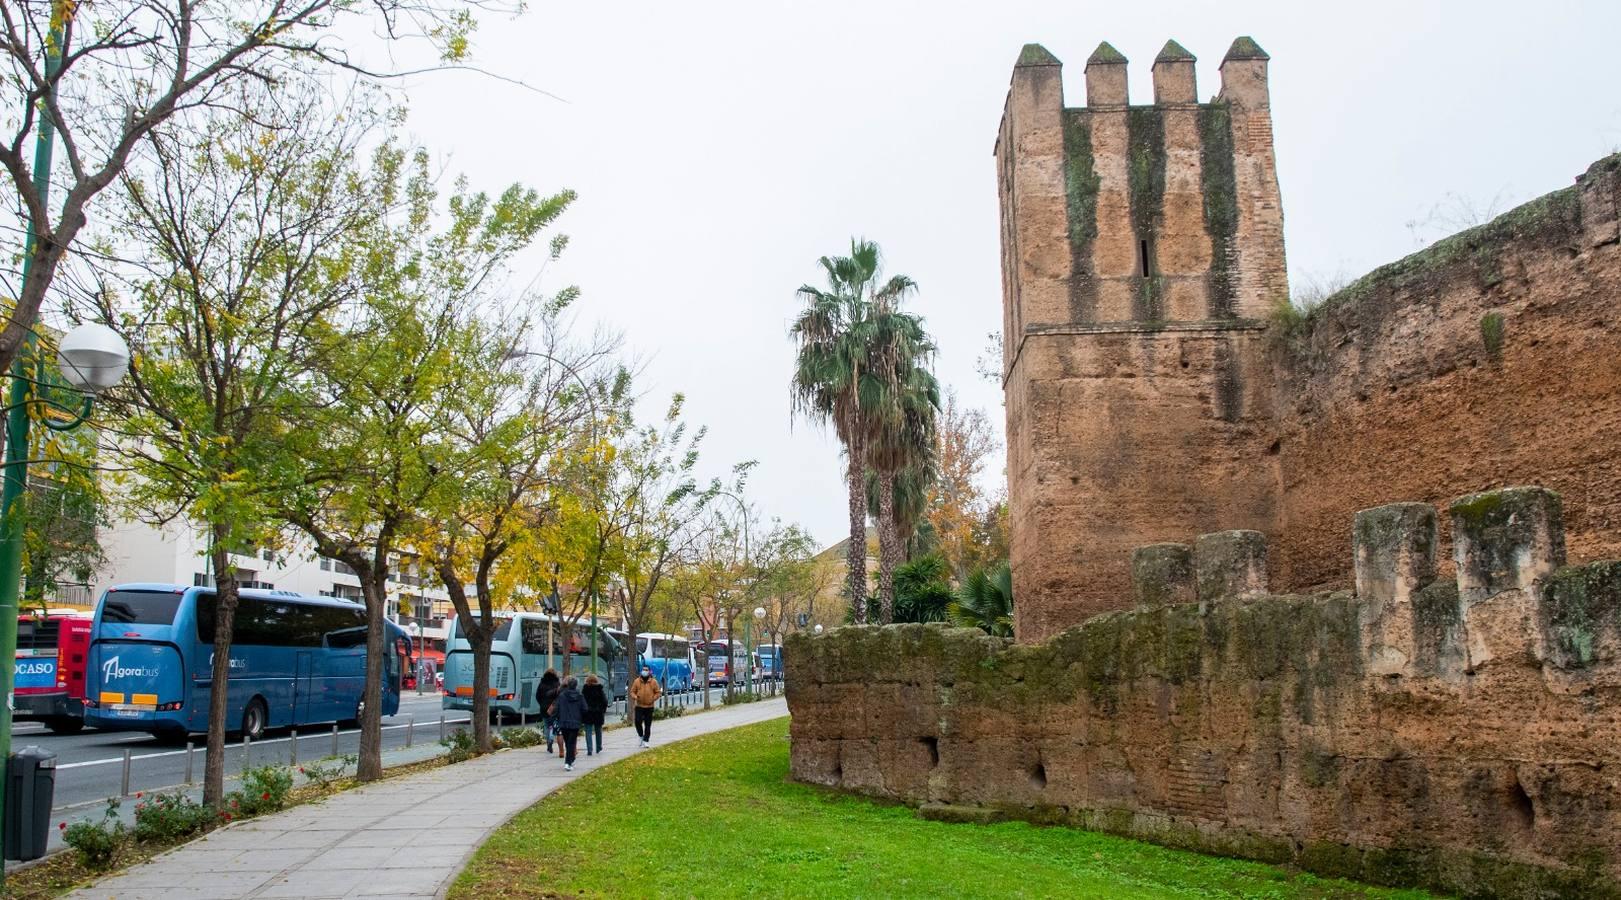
(840, 375)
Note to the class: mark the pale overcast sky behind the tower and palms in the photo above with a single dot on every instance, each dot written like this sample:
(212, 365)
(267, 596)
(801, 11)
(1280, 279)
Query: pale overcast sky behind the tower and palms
(721, 148)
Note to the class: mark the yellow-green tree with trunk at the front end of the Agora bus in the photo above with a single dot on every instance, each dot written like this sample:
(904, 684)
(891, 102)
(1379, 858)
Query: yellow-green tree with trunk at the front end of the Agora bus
(411, 356)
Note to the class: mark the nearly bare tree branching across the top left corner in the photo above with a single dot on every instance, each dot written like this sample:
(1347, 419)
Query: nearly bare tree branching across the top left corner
(124, 71)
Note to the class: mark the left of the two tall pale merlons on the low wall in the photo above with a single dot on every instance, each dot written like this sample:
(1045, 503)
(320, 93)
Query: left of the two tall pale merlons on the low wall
(1395, 559)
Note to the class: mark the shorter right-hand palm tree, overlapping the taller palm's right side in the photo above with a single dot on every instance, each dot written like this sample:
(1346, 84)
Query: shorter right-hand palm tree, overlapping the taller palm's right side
(900, 455)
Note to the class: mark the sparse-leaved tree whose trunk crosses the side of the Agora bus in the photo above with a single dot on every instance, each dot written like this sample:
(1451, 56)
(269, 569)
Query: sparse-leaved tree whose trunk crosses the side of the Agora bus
(237, 241)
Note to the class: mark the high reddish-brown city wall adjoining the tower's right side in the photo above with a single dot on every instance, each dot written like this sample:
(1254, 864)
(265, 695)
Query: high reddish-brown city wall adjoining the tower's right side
(1489, 359)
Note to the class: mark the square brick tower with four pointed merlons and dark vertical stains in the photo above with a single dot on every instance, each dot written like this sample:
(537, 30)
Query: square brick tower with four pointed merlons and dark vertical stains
(1142, 249)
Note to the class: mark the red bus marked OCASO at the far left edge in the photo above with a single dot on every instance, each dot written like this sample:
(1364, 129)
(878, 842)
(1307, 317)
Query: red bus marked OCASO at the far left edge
(49, 679)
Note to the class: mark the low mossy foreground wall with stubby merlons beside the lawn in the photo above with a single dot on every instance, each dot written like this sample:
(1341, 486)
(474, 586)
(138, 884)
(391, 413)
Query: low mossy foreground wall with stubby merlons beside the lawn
(1450, 732)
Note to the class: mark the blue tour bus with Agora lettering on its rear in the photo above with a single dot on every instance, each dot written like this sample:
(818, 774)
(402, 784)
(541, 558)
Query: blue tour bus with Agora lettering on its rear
(294, 661)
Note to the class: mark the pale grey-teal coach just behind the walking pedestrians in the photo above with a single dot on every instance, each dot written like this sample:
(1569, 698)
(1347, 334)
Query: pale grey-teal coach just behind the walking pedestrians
(518, 659)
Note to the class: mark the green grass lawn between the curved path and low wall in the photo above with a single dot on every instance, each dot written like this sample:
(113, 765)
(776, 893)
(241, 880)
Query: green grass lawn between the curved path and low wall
(716, 816)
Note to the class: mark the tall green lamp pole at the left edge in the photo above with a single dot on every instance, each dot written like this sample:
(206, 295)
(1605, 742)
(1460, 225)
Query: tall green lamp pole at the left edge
(17, 431)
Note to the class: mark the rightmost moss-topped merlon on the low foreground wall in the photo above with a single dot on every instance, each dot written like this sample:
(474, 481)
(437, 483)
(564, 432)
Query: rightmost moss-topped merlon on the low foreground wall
(1507, 541)
